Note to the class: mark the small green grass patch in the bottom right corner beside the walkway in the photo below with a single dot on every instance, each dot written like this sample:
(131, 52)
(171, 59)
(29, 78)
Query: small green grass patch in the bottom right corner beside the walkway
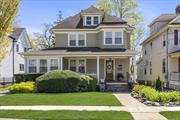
(171, 115)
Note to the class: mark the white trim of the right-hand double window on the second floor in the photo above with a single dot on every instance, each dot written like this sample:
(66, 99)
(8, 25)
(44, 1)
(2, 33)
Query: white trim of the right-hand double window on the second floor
(113, 37)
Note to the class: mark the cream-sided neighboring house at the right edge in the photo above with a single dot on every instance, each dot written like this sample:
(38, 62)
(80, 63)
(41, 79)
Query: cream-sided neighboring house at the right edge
(161, 51)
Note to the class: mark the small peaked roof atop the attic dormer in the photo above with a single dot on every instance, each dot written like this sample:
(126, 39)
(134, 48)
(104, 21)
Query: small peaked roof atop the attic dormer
(93, 10)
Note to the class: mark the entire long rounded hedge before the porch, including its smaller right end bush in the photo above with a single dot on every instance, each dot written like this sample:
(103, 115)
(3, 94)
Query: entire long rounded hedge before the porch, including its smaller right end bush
(58, 81)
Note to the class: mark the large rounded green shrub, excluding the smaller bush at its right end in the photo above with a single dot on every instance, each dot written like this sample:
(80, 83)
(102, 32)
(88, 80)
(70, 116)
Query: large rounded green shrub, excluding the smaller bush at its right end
(58, 81)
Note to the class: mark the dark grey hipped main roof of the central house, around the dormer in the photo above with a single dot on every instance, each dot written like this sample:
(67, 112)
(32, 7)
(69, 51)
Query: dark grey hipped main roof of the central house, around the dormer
(76, 21)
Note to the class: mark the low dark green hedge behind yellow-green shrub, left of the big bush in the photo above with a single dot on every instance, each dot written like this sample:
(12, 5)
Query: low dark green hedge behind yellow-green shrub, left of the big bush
(26, 77)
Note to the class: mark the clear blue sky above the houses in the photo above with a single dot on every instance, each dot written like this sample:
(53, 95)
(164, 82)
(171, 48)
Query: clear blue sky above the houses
(34, 13)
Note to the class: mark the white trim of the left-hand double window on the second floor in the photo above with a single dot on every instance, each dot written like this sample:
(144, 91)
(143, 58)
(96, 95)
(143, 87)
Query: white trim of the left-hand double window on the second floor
(77, 39)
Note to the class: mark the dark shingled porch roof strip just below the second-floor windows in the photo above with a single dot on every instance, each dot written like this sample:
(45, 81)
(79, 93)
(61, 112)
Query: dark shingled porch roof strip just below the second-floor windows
(86, 49)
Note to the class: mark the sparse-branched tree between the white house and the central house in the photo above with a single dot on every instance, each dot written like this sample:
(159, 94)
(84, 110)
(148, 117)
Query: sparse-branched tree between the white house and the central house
(47, 37)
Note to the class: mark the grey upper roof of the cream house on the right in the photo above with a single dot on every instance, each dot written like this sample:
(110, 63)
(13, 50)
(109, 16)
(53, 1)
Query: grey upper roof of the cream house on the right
(164, 17)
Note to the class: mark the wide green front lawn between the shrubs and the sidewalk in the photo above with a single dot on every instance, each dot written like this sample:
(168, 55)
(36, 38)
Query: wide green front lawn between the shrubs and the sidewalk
(87, 98)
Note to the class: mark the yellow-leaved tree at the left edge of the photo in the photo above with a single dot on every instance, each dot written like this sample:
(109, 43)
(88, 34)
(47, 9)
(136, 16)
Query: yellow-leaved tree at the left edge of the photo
(8, 13)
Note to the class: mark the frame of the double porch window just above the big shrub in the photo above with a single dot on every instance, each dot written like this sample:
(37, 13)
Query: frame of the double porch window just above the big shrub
(76, 64)
